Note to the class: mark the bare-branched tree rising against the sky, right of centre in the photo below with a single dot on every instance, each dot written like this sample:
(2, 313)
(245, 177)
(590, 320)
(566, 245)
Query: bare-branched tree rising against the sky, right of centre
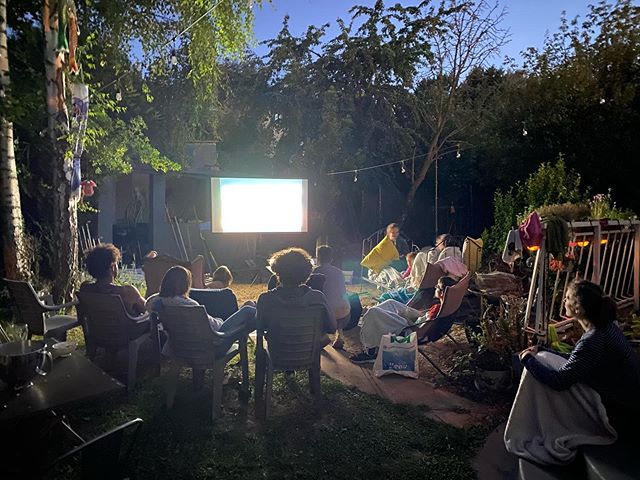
(468, 36)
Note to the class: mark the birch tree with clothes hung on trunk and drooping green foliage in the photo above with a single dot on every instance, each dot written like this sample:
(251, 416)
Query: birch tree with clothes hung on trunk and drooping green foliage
(203, 30)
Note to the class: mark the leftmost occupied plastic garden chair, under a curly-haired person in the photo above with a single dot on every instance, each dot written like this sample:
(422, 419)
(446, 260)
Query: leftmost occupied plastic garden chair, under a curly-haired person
(108, 325)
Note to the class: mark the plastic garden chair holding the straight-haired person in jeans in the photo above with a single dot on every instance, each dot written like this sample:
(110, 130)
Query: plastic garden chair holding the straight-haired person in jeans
(195, 344)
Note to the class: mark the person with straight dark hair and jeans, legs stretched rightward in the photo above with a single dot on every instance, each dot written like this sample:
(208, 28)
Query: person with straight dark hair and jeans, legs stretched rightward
(174, 291)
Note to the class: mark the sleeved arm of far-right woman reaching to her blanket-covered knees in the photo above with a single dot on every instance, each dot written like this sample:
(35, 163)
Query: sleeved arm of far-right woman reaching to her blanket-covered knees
(582, 361)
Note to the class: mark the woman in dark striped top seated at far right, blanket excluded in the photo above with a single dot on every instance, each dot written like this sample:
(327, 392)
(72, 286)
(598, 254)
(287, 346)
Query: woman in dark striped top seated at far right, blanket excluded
(603, 359)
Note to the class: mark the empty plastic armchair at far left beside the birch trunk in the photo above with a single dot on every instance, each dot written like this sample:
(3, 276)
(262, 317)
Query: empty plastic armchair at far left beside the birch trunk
(32, 310)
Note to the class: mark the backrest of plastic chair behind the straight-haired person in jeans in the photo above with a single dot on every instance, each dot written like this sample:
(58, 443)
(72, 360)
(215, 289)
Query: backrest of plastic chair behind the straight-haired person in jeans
(190, 333)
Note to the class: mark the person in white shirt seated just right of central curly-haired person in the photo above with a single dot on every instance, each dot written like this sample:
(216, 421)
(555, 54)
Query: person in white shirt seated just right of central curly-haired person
(334, 290)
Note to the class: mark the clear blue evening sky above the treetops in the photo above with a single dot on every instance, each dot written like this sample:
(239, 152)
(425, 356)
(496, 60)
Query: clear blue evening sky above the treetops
(527, 20)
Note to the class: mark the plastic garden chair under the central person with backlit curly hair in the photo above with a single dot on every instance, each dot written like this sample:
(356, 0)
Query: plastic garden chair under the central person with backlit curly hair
(295, 339)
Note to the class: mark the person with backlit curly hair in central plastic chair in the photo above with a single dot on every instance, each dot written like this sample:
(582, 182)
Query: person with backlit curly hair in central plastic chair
(292, 266)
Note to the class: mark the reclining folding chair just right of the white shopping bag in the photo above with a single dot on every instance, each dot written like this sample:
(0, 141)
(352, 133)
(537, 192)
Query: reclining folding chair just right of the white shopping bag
(428, 331)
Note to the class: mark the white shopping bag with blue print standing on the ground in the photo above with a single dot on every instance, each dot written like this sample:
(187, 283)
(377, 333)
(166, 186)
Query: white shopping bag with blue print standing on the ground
(397, 354)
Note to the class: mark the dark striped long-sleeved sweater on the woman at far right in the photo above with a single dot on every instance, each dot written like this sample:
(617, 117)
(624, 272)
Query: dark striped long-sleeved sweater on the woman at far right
(602, 359)
